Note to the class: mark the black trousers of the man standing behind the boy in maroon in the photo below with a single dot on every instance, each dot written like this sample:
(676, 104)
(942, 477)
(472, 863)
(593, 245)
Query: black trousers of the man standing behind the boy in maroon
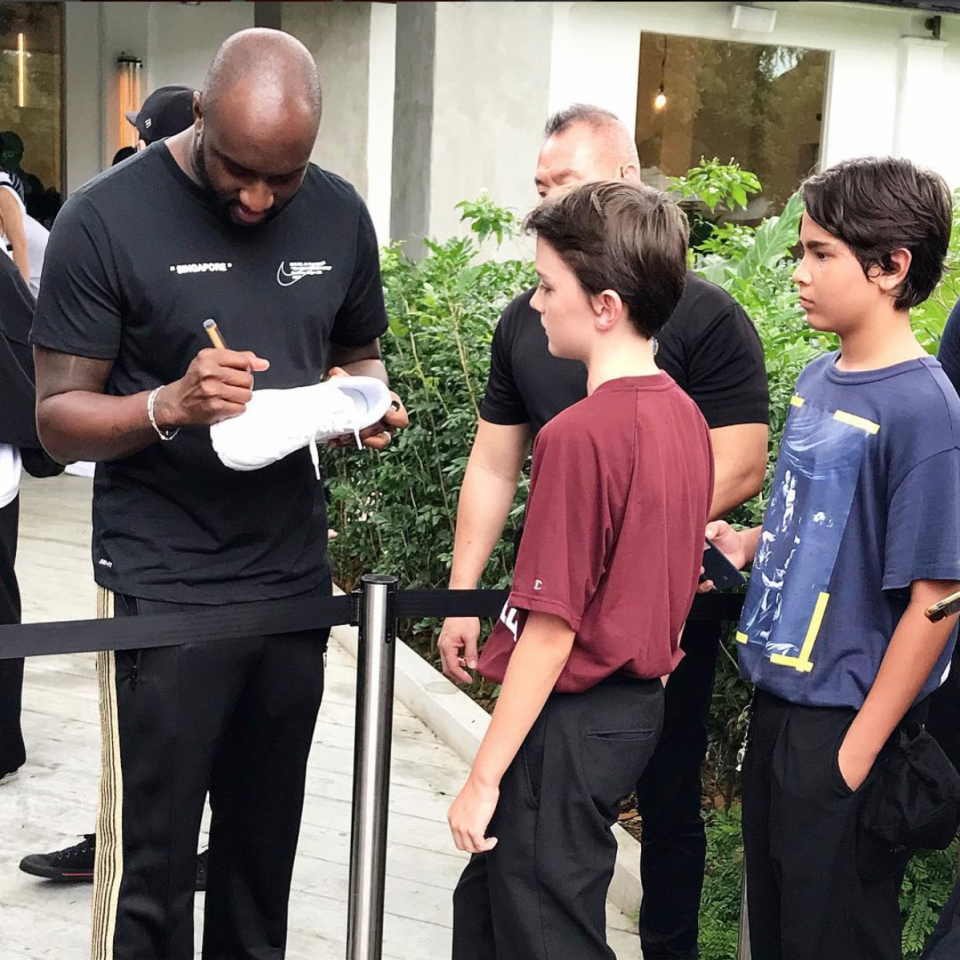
(674, 848)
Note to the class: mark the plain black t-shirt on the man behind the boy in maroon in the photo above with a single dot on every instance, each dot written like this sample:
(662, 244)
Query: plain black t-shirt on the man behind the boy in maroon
(709, 346)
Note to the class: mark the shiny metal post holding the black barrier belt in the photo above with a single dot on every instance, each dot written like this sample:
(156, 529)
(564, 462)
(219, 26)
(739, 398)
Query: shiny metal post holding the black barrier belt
(371, 766)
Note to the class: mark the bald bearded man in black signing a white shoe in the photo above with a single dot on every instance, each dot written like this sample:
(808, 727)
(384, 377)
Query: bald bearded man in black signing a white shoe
(230, 220)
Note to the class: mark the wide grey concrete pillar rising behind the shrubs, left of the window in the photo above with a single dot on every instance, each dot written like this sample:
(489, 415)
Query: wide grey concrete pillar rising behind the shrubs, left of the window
(473, 83)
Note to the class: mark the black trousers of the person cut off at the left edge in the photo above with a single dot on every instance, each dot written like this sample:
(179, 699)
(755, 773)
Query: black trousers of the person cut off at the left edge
(12, 752)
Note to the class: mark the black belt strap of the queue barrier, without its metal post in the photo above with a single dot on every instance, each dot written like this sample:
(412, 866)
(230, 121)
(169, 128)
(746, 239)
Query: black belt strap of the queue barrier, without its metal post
(272, 618)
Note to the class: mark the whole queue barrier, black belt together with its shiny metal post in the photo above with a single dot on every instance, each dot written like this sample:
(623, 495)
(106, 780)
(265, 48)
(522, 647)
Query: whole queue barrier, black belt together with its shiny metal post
(375, 609)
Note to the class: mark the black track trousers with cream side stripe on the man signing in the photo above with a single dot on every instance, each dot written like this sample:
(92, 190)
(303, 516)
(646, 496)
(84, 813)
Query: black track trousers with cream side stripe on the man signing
(235, 717)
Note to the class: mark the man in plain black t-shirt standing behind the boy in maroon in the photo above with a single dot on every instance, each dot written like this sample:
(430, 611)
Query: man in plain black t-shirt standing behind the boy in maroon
(711, 349)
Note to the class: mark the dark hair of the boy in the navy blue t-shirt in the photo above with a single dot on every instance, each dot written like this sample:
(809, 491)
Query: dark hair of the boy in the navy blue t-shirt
(876, 205)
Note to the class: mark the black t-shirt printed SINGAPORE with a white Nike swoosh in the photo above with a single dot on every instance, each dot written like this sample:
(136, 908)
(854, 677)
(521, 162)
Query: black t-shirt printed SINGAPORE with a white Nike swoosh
(137, 260)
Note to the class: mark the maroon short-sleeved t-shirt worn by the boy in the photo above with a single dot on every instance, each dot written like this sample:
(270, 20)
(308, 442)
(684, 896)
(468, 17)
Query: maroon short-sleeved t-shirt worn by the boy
(614, 536)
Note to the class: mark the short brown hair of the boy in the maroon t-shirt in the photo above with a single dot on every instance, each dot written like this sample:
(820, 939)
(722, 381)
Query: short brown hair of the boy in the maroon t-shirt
(623, 236)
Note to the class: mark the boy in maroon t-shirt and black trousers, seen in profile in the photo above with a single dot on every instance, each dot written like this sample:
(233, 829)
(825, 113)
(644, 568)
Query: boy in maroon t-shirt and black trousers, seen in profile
(605, 577)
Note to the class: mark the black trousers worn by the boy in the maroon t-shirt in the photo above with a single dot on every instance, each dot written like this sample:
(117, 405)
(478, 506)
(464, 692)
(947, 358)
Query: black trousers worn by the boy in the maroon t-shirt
(540, 894)
